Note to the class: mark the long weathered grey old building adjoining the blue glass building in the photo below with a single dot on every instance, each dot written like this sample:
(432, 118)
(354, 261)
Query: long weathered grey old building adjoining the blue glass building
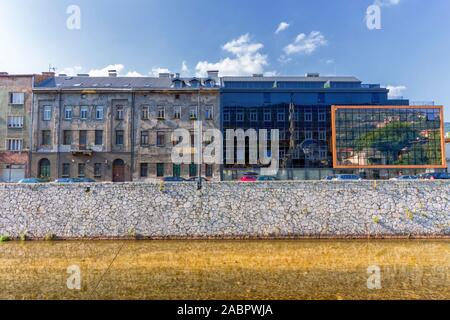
(118, 128)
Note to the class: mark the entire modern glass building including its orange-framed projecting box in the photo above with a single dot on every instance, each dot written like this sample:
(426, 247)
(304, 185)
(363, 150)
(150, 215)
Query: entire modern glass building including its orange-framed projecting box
(301, 108)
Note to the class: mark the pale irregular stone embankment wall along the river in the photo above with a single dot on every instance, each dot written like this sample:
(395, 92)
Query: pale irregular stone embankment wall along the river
(227, 210)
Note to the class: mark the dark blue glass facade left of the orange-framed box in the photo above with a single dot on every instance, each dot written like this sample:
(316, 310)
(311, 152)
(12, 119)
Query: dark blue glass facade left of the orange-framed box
(266, 105)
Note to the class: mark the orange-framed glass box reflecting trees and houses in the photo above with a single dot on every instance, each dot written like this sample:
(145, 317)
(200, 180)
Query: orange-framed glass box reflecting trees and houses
(391, 138)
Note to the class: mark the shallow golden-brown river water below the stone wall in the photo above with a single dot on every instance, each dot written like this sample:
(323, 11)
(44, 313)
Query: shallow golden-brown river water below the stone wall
(226, 269)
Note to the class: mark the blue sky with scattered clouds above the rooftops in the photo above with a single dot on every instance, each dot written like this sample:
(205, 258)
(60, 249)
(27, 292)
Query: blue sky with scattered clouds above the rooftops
(140, 37)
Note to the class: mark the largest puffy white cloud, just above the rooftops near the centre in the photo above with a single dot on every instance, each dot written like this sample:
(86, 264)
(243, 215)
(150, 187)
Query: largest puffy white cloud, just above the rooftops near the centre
(246, 60)
